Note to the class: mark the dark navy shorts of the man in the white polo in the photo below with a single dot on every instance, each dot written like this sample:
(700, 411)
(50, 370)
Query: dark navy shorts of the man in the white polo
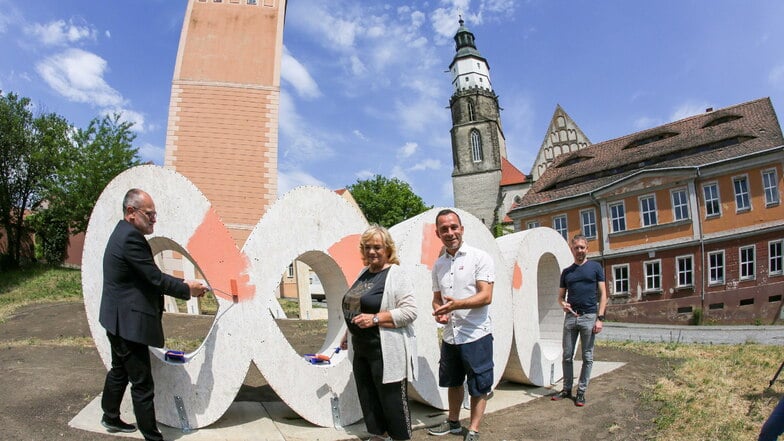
(473, 360)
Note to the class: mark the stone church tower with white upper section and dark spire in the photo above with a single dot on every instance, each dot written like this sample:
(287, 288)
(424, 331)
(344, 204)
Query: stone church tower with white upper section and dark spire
(478, 144)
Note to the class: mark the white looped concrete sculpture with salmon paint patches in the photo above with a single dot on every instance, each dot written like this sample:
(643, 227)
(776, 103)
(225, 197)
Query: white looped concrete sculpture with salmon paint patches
(318, 227)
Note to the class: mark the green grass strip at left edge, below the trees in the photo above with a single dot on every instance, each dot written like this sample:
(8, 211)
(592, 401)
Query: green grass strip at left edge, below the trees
(37, 284)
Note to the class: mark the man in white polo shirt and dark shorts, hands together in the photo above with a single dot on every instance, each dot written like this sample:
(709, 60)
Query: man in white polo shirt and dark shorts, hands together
(462, 291)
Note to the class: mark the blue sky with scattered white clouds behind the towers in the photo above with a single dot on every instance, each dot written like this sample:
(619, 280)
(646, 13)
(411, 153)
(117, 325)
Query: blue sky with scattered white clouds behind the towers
(364, 87)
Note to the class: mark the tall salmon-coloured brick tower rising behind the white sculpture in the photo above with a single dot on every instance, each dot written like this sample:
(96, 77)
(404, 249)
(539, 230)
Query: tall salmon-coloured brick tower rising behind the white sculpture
(223, 114)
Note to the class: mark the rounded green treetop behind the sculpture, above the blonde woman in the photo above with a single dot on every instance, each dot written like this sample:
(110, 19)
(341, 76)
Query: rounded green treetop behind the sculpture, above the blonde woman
(386, 202)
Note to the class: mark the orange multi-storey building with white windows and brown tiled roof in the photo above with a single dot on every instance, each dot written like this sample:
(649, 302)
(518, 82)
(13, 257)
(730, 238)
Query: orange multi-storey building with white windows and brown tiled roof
(685, 217)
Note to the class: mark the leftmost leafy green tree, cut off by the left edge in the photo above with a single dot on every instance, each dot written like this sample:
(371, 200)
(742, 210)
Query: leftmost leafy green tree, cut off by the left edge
(32, 148)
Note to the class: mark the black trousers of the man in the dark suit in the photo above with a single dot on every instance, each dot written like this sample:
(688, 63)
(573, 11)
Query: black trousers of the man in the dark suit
(131, 363)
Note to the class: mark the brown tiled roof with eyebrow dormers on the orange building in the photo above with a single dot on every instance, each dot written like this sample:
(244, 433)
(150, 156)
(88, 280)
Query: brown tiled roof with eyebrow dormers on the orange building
(699, 140)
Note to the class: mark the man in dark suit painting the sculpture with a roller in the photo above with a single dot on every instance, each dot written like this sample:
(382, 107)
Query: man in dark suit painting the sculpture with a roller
(131, 312)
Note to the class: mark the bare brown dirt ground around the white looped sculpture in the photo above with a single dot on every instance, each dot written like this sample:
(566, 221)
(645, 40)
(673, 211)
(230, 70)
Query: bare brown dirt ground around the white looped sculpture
(44, 386)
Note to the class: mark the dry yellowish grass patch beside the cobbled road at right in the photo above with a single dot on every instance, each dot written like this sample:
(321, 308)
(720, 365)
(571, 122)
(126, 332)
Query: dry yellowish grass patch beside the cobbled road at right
(716, 392)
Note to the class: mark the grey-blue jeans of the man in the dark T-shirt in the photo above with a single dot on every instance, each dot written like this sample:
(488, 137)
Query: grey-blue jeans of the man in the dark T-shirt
(581, 326)
